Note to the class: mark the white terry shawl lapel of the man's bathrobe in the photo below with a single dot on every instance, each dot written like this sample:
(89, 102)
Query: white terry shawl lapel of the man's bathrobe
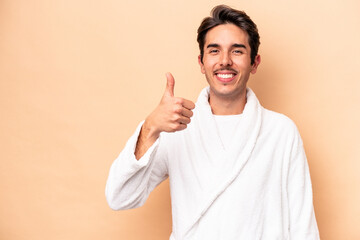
(240, 149)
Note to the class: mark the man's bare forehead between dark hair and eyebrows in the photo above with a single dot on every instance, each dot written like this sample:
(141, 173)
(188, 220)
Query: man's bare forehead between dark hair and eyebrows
(226, 34)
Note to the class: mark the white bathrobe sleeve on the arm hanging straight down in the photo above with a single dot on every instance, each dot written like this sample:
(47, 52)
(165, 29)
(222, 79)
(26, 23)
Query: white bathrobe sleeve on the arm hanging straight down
(303, 224)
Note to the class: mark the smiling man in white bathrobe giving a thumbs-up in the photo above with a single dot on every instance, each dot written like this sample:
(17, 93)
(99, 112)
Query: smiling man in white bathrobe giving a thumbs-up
(236, 170)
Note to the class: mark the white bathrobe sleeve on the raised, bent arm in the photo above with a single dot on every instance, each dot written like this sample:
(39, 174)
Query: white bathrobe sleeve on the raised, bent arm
(130, 181)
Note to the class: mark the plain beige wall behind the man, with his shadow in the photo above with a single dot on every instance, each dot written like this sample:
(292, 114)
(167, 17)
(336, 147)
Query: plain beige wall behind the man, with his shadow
(76, 77)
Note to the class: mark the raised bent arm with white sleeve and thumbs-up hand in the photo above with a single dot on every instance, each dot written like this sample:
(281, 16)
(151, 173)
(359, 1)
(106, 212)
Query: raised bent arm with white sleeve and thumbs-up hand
(142, 165)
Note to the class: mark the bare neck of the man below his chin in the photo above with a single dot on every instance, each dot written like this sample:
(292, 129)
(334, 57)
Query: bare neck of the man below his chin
(227, 105)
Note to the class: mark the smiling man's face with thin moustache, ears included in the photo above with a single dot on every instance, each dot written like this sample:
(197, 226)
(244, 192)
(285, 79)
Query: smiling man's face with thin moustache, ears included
(226, 61)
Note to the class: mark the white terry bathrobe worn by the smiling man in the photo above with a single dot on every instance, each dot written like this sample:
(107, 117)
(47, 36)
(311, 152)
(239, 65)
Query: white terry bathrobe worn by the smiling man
(259, 187)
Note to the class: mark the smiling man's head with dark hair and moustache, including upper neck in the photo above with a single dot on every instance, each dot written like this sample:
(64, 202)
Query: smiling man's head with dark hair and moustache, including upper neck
(229, 43)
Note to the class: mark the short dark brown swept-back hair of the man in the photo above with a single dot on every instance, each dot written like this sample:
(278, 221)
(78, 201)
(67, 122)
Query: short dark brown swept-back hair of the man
(223, 14)
